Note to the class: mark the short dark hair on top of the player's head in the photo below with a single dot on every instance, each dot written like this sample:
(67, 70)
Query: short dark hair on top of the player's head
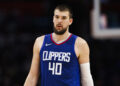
(63, 7)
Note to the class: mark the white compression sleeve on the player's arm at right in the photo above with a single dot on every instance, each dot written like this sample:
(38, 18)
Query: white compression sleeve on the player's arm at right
(86, 77)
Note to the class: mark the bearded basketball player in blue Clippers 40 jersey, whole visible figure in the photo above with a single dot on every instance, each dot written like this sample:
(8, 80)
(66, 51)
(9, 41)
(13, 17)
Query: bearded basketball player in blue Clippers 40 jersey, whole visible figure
(60, 58)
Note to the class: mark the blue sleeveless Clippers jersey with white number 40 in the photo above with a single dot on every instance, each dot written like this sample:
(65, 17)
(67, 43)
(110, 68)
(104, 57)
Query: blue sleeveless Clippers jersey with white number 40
(58, 62)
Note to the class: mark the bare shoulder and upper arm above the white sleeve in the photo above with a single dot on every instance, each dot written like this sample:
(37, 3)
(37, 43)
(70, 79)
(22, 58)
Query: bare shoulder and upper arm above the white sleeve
(82, 50)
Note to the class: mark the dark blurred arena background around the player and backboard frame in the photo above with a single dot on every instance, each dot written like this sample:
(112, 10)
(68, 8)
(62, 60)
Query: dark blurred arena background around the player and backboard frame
(21, 21)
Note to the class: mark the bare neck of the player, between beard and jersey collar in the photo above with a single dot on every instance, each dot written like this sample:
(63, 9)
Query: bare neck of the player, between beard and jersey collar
(59, 38)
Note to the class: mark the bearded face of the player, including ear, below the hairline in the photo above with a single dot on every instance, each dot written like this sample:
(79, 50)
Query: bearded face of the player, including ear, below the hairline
(61, 21)
